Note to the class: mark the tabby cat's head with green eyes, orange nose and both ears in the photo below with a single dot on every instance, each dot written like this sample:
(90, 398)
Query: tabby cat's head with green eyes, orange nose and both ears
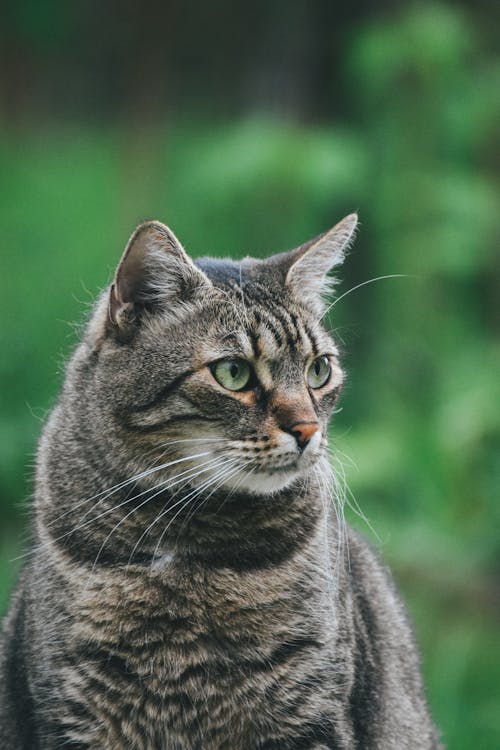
(221, 370)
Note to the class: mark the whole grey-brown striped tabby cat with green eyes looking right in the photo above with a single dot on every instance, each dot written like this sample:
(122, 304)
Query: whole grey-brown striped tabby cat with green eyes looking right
(190, 584)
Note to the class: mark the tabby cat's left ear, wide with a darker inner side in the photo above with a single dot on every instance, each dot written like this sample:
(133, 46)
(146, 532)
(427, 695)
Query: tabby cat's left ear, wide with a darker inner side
(154, 273)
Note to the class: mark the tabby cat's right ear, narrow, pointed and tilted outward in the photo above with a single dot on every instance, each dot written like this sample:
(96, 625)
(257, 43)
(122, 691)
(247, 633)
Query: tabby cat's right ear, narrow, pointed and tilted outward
(307, 275)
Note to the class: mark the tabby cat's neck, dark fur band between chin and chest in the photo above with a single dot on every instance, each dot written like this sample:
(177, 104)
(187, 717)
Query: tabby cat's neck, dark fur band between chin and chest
(113, 523)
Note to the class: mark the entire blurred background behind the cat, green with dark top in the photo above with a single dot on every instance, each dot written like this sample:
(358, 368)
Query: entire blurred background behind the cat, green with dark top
(249, 130)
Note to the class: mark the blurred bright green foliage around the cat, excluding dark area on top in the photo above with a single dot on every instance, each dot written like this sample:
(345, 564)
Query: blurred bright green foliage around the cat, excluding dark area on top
(421, 411)
